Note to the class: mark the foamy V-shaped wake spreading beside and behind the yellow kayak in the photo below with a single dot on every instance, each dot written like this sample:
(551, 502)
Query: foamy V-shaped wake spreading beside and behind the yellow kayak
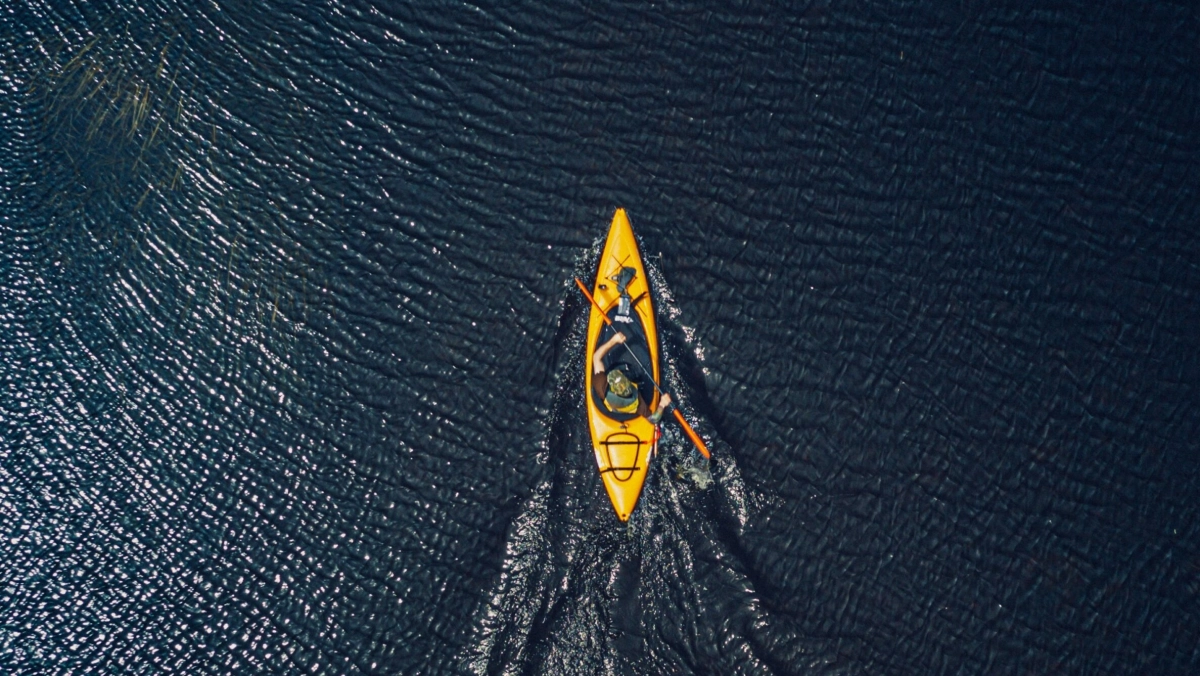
(579, 593)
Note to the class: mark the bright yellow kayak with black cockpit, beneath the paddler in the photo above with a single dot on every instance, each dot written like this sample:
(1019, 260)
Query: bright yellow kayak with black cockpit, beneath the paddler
(625, 442)
